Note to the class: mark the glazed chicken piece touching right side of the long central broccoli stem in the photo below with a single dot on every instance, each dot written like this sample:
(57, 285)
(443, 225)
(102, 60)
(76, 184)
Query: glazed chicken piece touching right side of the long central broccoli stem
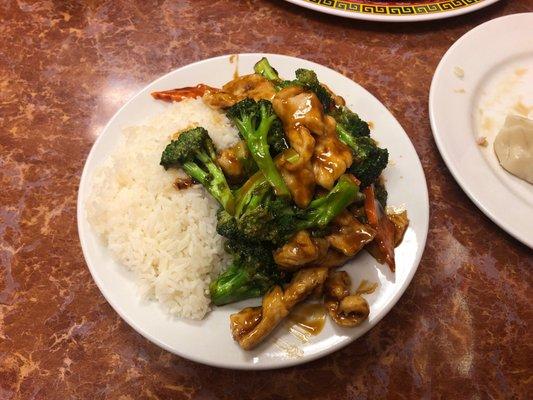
(300, 182)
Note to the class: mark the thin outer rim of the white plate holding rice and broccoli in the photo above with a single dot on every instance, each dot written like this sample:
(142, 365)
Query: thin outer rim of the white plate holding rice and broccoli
(283, 363)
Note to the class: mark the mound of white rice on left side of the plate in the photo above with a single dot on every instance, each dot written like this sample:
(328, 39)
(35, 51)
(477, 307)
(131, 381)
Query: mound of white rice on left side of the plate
(167, 237)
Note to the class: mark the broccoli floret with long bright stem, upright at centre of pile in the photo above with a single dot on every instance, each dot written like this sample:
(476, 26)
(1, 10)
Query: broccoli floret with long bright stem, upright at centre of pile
(254, 121)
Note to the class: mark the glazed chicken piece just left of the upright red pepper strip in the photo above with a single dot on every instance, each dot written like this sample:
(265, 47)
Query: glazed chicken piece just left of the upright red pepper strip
(349, 235)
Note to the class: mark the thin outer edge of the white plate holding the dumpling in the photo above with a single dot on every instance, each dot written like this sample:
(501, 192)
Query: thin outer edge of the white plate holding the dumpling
(440, 144)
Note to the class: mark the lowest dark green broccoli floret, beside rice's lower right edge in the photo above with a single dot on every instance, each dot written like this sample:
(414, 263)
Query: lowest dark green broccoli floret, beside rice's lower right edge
(251, 273)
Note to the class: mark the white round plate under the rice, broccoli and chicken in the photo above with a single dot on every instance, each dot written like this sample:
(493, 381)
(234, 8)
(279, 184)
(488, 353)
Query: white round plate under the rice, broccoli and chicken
(209, 341)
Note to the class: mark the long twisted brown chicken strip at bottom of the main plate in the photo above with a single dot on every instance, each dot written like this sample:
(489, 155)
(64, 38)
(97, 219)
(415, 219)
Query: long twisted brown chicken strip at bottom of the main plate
(251, 326)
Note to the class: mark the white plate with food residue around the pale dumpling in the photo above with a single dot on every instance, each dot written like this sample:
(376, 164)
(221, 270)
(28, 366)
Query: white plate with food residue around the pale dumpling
(497, 61)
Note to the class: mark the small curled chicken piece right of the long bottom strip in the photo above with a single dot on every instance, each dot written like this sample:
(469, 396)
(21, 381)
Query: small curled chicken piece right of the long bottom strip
(345, 309)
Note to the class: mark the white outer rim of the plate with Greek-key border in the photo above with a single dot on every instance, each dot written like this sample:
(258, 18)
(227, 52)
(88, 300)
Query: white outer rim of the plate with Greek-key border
(386, 18)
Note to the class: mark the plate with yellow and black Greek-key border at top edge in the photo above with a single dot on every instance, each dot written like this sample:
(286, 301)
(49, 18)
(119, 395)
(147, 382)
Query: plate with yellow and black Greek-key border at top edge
(394, 11)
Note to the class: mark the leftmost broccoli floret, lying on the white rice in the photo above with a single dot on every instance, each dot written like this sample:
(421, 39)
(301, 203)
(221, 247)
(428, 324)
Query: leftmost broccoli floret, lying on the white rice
(195, 152)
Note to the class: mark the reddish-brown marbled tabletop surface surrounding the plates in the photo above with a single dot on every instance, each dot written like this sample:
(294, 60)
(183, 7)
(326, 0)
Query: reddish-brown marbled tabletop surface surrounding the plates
(460, 331)
